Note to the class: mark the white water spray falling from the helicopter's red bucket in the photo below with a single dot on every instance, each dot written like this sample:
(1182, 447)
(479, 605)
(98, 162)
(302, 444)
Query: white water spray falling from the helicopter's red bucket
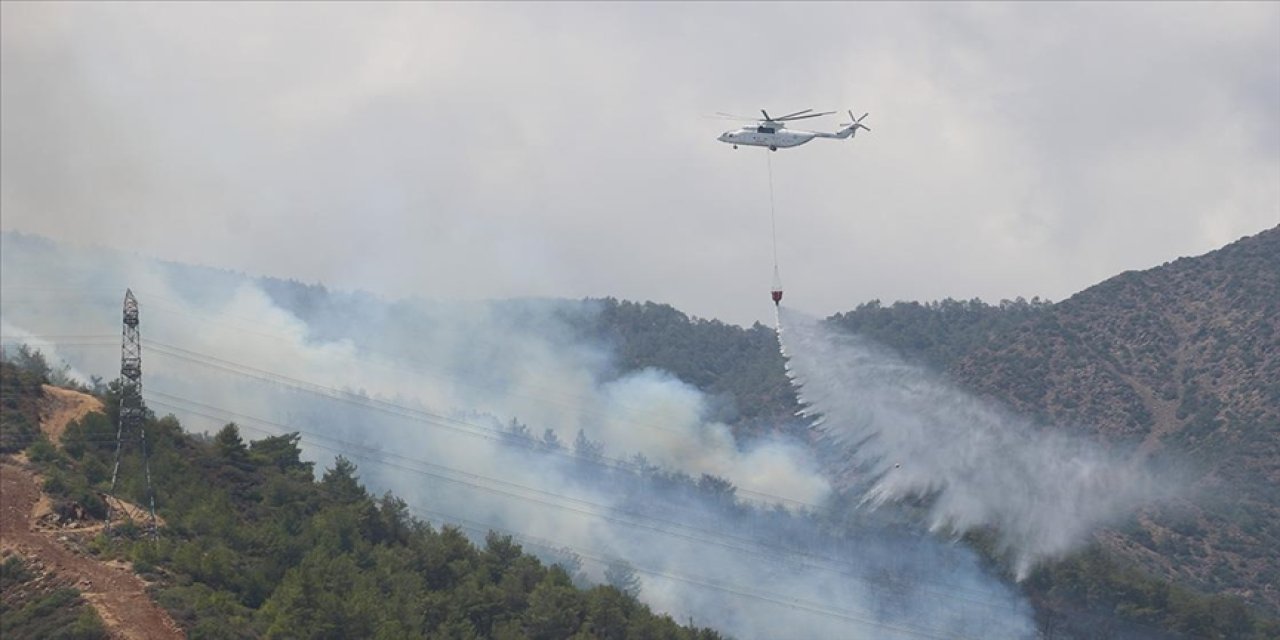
(904, 433)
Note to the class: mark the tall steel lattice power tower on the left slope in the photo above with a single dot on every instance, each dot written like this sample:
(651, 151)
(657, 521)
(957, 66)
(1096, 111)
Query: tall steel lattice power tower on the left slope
(132, 412)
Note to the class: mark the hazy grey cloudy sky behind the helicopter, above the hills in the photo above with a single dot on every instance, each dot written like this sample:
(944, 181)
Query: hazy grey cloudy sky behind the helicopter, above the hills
(500, 150)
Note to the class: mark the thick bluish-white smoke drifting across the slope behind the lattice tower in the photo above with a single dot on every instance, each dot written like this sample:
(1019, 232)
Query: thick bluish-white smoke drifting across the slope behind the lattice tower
(423, 397)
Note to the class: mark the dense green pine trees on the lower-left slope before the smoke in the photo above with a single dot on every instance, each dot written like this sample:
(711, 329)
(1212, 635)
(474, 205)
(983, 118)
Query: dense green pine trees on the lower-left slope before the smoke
(254, 546)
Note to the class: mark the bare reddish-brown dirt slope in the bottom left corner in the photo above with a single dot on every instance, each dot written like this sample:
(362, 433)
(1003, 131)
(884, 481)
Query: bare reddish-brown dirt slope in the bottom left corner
(113, 589)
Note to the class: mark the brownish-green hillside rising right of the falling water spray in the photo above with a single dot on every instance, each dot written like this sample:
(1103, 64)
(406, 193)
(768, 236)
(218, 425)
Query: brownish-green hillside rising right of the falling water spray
(1181, 362)
